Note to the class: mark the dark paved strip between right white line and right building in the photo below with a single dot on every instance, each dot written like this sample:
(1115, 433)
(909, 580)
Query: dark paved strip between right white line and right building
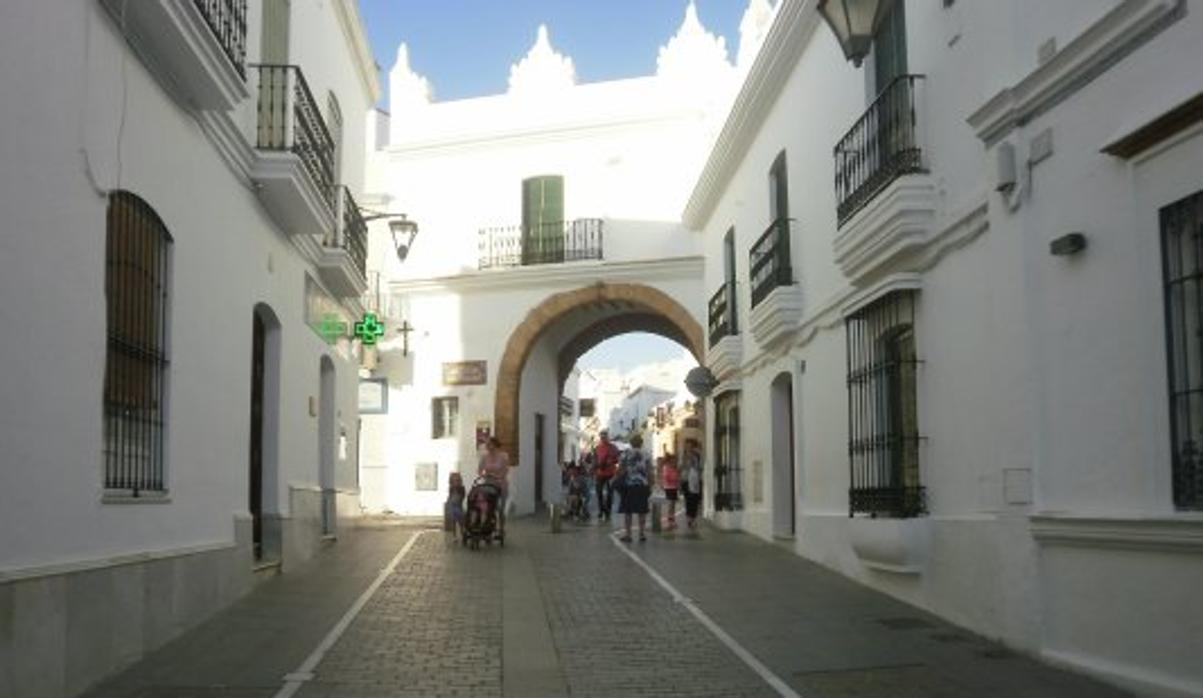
(829, 637)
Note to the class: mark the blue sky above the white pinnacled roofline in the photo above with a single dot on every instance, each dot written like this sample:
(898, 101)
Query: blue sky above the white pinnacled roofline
(466, 48)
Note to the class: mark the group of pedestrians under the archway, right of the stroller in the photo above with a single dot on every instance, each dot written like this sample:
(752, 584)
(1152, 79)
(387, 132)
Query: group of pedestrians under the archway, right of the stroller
(632, 476)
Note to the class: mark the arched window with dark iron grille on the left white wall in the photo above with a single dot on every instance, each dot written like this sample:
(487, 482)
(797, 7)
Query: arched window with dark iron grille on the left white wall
(137, 293)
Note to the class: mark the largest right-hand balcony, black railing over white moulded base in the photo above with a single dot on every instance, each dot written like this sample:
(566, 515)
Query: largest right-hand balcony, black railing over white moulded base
(886, 198)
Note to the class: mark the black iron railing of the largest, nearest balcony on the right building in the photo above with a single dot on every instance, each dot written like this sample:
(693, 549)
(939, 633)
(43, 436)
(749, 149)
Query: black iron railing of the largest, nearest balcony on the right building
(881, 147)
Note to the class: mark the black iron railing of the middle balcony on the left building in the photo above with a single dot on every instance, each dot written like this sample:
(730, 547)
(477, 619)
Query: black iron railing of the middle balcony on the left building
(289, 120)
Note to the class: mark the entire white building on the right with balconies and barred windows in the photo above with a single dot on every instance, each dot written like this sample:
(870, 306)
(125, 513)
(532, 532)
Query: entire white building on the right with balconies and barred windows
(951, 311)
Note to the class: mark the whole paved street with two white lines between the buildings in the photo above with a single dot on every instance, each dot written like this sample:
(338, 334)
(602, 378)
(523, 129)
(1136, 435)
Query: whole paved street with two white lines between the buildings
(571, 614)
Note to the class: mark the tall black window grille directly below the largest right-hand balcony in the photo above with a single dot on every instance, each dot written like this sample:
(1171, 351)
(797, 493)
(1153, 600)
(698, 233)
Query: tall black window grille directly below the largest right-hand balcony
(884, 427)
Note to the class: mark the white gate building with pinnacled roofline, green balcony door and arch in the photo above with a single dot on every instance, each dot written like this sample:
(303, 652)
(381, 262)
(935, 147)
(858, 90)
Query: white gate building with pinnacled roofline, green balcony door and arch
(550, 221)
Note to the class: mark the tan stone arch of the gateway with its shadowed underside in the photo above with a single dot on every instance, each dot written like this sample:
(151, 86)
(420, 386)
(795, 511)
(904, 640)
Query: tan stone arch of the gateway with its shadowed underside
(590, 315)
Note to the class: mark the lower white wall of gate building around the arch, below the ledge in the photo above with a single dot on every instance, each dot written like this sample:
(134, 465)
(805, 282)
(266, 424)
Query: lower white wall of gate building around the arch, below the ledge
(471, 318)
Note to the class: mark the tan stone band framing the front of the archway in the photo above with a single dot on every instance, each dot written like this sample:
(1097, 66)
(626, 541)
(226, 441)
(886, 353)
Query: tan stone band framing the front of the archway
(633, 299)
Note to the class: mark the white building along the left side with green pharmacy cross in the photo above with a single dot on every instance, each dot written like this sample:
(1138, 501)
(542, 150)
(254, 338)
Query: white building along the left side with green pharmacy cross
(183, 257)
